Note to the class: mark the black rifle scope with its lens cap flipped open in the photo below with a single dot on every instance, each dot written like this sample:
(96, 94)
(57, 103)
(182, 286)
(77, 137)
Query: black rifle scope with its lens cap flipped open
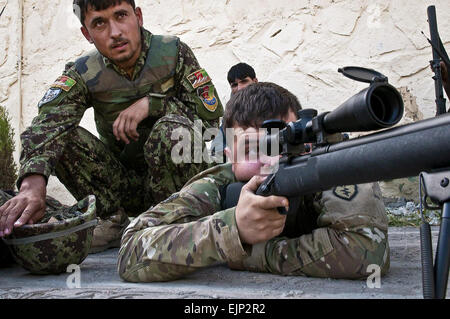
(376, 107)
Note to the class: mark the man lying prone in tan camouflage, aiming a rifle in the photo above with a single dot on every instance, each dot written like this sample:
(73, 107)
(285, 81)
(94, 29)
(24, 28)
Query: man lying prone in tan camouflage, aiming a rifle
(338, 233)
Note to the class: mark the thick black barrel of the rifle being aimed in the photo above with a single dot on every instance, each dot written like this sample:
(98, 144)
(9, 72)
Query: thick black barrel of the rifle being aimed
(394, 153)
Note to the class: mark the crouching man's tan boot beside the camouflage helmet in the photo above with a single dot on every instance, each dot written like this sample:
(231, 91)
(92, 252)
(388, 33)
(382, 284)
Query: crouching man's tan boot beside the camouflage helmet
(108, 232)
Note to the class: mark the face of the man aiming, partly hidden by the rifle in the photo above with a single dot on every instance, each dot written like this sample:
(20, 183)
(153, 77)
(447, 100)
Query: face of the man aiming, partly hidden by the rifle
(247, 160)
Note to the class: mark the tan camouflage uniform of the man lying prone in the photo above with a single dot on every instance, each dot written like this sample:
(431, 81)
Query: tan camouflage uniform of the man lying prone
(340, 232)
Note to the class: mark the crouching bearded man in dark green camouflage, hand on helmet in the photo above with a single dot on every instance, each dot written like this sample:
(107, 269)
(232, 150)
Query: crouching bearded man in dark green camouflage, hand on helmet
(142, 87)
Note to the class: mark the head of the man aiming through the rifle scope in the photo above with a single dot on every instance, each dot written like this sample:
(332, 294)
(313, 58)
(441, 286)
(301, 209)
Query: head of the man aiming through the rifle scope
(245, 113)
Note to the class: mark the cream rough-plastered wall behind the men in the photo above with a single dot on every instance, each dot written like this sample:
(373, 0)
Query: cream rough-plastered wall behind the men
(298, 44)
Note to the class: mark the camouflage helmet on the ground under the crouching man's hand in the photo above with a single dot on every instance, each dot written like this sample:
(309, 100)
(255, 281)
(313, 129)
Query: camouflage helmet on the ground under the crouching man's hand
(58, 241)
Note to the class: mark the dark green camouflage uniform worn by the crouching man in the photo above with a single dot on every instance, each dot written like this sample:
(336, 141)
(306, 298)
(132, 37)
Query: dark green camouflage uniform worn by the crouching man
(132, 176)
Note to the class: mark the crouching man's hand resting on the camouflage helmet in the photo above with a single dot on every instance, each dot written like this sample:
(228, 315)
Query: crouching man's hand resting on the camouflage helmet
(28, 207)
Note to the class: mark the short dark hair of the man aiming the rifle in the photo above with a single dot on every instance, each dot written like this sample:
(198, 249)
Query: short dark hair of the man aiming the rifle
(257, 103)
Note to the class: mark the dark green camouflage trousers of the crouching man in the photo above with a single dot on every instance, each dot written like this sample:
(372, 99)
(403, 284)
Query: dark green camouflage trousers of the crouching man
(88, 167)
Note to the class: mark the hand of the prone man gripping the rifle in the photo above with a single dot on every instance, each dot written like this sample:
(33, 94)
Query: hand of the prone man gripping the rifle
(257, 217)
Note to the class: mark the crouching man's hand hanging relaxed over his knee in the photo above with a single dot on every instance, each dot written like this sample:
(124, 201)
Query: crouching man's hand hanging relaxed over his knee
(124, 128)
